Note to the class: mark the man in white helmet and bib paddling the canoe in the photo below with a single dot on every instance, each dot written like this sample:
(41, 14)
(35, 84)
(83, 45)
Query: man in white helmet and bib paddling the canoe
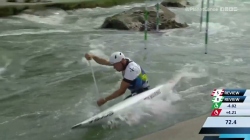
(134, 77)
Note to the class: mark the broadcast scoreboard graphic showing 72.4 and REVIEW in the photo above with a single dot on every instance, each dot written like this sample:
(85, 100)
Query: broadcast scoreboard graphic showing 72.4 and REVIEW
(230, 117)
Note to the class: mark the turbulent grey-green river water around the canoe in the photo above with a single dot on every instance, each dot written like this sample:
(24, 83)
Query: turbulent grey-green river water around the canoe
(46, 86)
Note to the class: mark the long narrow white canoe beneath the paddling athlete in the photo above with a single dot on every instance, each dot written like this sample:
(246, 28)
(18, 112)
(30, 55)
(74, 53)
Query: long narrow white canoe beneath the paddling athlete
(104, 115)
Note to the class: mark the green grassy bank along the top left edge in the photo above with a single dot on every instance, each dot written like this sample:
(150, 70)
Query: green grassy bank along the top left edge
(16, 8)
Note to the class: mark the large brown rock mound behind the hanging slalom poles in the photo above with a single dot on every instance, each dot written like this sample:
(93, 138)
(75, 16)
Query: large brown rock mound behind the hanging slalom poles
(134, 20)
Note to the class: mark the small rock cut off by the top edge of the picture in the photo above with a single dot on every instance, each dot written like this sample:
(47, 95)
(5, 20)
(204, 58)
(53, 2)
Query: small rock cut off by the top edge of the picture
(175, 3)
